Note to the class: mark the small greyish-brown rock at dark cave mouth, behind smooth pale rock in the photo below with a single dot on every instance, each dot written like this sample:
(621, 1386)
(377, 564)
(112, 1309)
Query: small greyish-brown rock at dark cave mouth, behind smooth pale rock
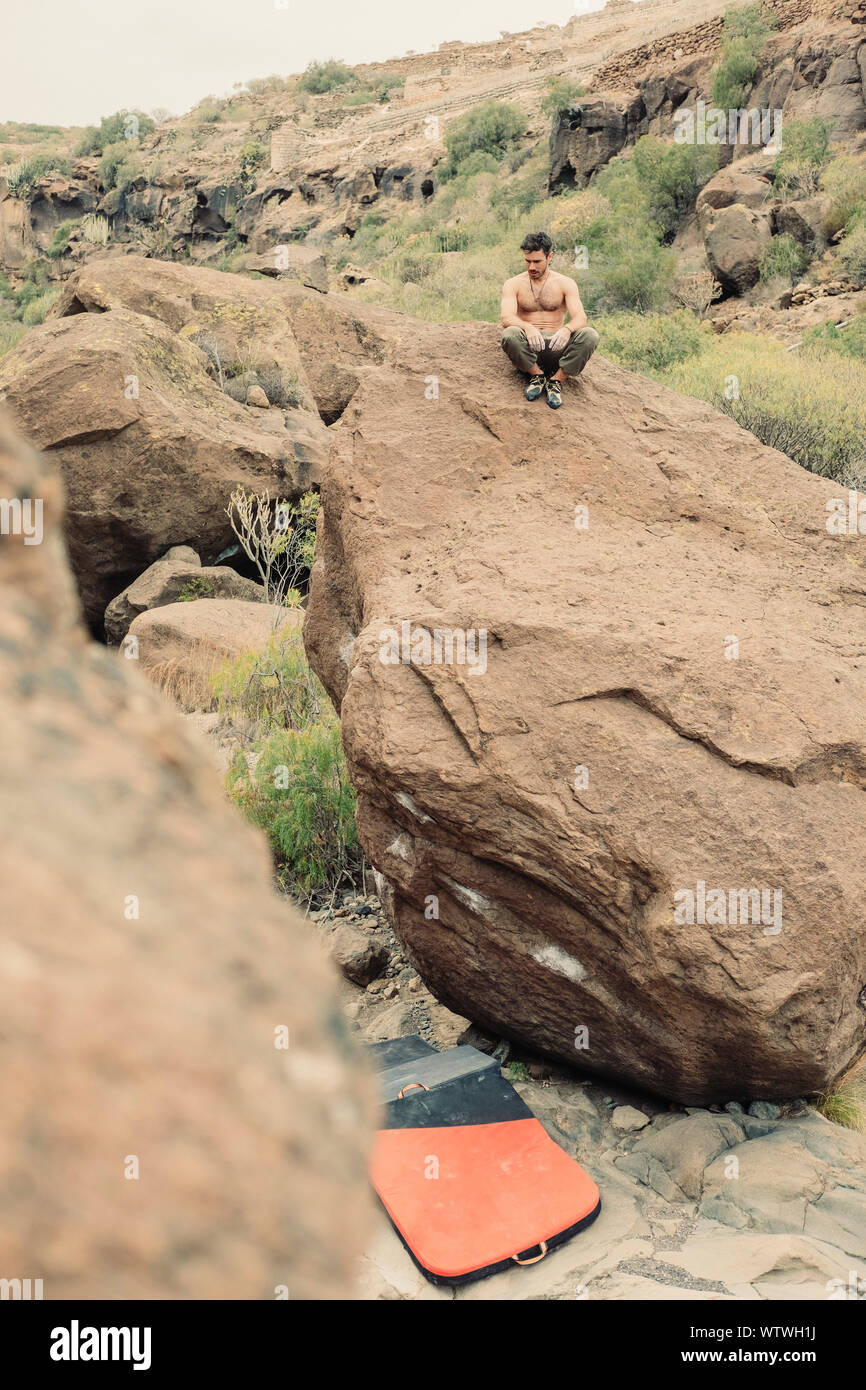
(168, 580)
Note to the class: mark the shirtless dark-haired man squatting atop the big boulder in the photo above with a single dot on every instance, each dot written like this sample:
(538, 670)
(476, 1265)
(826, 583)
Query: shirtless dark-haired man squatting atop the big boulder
(534, 334)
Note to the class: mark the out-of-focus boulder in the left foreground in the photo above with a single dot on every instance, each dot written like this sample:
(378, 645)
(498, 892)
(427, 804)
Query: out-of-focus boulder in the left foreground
(159, 1139)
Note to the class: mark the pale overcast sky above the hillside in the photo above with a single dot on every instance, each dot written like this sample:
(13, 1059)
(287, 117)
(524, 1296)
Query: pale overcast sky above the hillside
(72, 62)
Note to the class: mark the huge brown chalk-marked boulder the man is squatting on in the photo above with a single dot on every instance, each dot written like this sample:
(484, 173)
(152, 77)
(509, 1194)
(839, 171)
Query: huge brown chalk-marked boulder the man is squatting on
(669, 703)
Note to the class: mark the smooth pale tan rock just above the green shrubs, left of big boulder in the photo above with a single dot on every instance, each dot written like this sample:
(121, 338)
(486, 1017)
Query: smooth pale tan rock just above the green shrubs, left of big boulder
(181, 647)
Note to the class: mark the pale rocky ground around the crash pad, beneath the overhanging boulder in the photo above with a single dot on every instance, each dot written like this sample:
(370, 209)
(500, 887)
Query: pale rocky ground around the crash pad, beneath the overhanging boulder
(704, 1204)
